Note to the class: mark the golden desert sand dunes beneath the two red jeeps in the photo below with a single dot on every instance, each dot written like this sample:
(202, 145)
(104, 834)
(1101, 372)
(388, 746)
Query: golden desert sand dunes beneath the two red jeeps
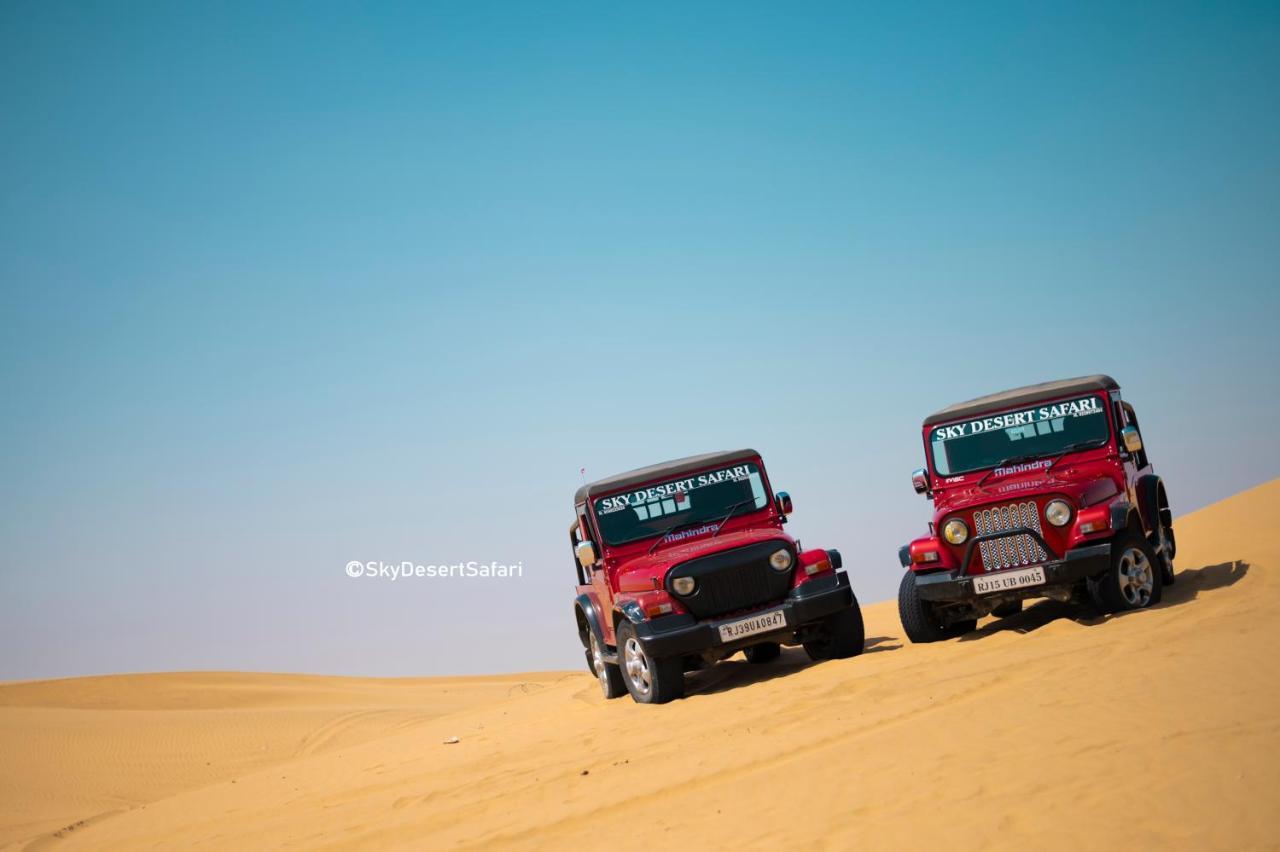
(1055, 729)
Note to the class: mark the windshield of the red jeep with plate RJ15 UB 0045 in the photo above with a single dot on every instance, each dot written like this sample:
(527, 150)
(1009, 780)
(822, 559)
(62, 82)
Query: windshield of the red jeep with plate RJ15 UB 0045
(1018, 436)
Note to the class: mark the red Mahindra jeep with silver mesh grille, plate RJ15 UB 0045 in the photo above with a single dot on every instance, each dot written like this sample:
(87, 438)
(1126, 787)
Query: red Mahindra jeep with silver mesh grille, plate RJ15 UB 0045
(1041, 492)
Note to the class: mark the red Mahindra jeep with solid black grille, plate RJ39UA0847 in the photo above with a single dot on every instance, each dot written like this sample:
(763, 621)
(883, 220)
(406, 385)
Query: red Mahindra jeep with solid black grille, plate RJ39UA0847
(684, 564)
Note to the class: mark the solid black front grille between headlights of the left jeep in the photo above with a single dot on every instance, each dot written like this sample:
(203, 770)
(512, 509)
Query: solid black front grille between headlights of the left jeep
(734, 580)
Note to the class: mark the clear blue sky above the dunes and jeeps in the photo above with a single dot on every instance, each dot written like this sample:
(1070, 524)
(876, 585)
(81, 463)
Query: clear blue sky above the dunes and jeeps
(290, 286)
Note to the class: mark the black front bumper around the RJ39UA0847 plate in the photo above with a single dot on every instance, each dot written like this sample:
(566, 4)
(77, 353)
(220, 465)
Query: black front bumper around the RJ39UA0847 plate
(680, 635)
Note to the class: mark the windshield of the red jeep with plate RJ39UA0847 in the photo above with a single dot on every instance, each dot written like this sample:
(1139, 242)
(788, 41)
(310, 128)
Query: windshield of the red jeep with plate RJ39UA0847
(687, 507)
